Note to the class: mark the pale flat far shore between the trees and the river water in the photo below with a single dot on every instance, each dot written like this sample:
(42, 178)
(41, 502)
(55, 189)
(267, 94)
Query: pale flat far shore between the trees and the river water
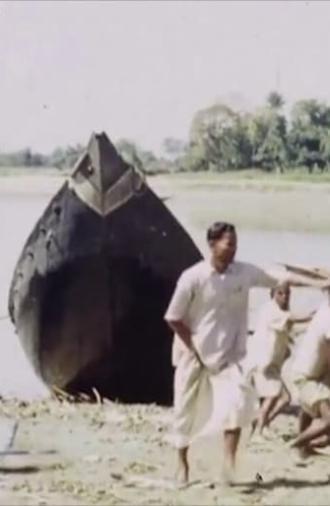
(263, 203)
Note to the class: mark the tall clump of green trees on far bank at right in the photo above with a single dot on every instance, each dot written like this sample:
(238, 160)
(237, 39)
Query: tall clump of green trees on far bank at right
(222, 139)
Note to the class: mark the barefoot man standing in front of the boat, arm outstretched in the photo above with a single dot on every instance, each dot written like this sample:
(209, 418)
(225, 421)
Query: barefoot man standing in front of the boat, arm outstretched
(208, 313)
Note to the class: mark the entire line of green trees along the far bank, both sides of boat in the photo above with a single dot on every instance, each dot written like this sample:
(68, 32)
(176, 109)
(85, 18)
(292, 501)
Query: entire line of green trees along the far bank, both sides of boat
(222, 139)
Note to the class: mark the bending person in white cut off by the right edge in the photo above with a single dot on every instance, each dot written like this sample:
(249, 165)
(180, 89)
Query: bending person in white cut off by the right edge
(310, 374)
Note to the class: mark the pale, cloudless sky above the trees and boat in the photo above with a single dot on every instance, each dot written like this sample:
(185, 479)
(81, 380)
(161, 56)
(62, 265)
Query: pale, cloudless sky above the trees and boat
(140, 70)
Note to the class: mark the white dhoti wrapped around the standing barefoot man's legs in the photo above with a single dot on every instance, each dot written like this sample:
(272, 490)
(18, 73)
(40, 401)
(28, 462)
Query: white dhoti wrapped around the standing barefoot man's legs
(206, 403)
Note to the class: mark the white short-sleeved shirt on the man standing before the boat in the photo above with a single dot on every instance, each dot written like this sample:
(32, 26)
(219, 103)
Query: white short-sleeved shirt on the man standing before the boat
(214, 307)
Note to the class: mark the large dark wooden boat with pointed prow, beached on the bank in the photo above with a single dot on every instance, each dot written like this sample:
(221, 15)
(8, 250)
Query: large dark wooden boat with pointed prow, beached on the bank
(93, 281)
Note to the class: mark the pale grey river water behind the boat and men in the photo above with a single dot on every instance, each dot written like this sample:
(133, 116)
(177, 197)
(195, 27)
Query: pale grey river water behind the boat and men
(18, 213)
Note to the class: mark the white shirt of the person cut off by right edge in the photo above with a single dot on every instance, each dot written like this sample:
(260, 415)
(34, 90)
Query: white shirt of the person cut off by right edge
(310, 361)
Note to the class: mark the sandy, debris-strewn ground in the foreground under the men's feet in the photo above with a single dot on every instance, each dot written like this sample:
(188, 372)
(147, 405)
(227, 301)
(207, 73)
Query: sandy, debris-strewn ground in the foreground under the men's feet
(116, 454)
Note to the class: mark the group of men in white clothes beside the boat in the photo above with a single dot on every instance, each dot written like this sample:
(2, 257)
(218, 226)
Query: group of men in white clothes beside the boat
(219, 373)
